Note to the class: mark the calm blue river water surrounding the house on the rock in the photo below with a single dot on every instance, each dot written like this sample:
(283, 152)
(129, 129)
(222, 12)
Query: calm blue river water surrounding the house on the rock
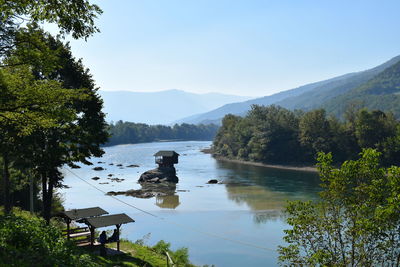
(237, 223)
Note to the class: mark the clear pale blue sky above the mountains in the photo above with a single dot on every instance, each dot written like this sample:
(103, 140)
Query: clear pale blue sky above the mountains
(244, 47)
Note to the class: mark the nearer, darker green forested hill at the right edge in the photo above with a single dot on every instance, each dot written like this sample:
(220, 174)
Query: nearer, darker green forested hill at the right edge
(381, 92)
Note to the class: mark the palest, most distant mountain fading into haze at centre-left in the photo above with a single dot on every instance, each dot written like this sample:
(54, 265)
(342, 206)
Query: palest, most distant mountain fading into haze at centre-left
(160, 107)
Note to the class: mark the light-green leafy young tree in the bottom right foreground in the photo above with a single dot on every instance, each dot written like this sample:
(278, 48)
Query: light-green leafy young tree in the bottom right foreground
(356, 222)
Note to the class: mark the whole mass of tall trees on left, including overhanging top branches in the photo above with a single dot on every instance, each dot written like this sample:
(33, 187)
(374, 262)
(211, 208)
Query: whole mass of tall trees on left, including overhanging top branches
(50, 113)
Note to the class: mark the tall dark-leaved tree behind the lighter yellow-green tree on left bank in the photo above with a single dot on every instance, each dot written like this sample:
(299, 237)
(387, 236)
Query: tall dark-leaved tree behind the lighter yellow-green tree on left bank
(71, 139)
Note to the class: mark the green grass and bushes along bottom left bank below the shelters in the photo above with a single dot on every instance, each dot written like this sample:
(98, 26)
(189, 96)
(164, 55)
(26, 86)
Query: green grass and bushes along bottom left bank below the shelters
(26, 239)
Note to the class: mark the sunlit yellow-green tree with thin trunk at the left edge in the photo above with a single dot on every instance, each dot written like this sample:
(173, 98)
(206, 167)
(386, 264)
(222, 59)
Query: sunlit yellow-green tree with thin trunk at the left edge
(26, 105)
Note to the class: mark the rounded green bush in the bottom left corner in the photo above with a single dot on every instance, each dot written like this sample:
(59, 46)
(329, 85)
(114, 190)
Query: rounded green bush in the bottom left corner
(26, 239)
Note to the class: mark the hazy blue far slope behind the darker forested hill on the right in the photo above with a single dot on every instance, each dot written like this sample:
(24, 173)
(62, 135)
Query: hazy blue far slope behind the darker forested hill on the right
(304, 97)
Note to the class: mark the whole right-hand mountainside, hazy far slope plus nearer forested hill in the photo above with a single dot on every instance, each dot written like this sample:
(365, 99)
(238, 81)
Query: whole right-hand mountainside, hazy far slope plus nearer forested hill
(376, 88)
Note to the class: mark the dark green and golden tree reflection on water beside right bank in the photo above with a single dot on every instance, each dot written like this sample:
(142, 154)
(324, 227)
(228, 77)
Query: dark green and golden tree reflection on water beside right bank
(265, 190)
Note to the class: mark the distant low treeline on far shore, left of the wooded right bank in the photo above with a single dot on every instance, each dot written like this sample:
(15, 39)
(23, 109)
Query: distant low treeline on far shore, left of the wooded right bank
(130, 133)
